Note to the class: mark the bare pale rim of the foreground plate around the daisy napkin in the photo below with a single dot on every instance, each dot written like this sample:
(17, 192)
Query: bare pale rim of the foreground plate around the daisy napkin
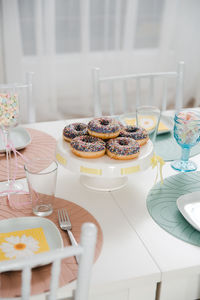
(50, 230)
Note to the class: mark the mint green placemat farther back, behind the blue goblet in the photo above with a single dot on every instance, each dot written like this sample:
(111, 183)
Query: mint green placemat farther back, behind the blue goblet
(167, 147)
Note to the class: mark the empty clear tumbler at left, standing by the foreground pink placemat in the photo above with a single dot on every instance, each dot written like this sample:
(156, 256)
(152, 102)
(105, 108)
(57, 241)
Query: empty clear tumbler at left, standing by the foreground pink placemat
(41, 176)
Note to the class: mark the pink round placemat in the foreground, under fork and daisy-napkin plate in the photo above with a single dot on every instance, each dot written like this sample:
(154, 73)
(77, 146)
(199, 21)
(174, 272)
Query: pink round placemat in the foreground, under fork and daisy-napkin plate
(11, 281)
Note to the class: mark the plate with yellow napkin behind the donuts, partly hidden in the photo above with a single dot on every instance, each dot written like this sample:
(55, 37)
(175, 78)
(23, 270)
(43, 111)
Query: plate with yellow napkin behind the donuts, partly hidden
(166, 123)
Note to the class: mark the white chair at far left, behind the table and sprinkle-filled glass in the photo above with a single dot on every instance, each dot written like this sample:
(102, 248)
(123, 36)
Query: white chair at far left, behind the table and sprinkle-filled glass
(24, 91)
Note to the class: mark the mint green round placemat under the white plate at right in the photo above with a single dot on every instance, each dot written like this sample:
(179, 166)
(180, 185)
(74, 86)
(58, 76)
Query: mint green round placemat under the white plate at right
(161, 204)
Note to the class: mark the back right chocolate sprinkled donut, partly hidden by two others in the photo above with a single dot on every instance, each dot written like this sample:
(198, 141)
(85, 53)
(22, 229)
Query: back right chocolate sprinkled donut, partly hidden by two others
(137, 133)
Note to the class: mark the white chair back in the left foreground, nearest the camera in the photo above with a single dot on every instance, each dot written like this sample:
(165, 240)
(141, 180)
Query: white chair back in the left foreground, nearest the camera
(85, 249)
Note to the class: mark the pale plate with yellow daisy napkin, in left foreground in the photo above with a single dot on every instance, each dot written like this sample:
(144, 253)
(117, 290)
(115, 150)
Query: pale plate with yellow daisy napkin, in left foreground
(26, 236)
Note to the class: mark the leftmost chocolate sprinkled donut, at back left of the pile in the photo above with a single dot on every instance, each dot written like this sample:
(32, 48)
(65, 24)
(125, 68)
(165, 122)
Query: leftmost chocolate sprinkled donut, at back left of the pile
(73, 130)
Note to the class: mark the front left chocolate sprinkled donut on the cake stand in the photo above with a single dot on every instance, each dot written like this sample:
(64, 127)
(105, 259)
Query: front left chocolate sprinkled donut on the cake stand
(88, 146)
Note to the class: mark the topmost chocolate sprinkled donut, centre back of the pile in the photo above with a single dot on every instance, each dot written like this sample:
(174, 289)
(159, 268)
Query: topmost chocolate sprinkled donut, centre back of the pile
(104, 128)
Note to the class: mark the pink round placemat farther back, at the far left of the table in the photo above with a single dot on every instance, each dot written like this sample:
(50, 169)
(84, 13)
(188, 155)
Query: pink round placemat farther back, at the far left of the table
(42, 146)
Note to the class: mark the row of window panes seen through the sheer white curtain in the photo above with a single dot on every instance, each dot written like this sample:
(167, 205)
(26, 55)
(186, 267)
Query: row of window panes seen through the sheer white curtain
(106, 29)
